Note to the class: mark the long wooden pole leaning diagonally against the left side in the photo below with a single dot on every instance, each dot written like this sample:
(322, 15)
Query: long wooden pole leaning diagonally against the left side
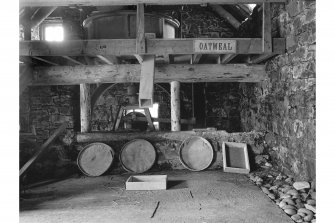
(43, 147)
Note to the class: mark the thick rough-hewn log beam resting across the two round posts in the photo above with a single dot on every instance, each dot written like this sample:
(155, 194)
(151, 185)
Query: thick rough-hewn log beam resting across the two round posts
(130, 73)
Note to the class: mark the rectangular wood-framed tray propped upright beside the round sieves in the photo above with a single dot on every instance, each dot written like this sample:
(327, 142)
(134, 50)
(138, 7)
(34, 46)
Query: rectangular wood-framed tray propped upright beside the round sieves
(235, 157)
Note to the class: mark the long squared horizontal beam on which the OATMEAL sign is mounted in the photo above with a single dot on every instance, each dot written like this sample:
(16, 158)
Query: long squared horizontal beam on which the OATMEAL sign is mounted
(128, 47)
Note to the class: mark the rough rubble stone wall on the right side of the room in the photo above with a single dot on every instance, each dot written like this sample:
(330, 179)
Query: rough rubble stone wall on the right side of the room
(284, 106)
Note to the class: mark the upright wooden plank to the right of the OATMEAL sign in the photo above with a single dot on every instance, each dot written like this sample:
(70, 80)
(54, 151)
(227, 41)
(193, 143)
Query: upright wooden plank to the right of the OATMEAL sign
(267, 37)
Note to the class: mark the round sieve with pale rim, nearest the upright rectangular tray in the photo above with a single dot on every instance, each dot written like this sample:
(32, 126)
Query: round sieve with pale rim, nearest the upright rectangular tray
(196, 153)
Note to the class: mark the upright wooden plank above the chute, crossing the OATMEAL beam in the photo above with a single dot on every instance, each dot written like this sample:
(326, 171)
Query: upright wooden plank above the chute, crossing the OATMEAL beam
(140, 34)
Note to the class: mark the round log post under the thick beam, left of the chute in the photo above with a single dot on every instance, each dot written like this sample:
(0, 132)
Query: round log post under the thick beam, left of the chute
(85, 108)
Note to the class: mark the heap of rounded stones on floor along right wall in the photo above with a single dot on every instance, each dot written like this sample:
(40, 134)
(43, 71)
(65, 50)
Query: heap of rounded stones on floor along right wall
(297, 199)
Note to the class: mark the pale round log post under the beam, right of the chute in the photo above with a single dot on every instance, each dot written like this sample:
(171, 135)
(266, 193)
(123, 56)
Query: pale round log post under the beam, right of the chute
(175, 106)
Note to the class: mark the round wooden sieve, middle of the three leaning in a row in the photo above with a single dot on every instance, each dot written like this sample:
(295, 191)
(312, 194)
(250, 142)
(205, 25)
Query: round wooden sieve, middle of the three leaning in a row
(137, 156)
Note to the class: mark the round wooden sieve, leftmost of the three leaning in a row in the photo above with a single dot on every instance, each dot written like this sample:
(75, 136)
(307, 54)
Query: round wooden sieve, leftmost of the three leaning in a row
(95, 159)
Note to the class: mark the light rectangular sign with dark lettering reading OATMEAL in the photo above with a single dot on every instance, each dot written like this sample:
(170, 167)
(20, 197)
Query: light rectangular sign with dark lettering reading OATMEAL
(214, 46)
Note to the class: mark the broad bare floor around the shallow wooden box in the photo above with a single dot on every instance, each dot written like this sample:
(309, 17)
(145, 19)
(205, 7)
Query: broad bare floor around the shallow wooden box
(206, 196)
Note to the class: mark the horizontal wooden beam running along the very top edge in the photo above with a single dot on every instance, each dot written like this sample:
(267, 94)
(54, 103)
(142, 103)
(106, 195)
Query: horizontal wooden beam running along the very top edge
(34, 3)
